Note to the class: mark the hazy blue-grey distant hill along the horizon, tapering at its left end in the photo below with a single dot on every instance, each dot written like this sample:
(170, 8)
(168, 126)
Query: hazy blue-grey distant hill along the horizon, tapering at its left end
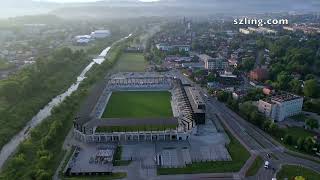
(134, 8)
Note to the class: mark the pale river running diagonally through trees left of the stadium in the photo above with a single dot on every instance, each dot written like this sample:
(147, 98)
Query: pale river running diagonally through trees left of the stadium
(45, 112)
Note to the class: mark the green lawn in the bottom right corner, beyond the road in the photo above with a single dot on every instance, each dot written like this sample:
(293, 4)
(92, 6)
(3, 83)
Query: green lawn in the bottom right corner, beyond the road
(291, 171)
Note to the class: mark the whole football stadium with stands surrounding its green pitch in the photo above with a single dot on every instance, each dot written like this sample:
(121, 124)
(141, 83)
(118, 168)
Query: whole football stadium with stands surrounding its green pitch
(140, 107)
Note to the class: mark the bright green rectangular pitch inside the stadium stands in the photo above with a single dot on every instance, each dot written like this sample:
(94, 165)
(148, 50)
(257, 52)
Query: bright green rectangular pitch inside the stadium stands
(139, 104)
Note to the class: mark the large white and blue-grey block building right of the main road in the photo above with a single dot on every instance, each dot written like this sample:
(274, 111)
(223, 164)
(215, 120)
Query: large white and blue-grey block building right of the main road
(280, 106)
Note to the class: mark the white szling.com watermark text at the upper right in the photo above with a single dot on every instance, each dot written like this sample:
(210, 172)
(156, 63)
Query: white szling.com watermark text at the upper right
(260, 22)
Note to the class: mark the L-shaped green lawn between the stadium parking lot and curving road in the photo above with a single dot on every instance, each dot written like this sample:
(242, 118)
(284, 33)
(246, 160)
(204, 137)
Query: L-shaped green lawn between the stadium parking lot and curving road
(238, 153)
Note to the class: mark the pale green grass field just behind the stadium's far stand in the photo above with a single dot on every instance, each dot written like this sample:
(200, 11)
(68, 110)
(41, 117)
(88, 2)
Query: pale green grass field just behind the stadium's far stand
(131, 62)
